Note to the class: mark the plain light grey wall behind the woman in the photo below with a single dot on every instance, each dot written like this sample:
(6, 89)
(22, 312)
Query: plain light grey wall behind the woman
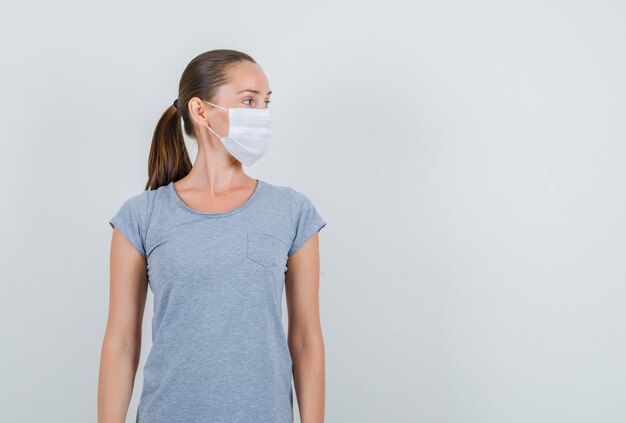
(467, 156)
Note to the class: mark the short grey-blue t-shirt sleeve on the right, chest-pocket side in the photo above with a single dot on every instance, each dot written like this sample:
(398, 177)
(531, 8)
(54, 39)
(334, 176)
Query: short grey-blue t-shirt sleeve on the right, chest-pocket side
(305, 219)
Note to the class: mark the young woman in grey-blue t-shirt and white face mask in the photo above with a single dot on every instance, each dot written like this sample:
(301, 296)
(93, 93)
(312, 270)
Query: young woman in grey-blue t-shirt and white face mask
(216, 248)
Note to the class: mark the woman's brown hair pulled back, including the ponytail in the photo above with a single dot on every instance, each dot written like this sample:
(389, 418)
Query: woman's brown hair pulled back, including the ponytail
(169, 160)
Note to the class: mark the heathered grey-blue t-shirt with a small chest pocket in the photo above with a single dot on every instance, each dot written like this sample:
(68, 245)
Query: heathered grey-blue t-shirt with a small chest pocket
(219, 351)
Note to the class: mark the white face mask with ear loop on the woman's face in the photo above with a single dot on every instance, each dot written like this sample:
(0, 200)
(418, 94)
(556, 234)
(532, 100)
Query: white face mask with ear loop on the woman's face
(249, 133)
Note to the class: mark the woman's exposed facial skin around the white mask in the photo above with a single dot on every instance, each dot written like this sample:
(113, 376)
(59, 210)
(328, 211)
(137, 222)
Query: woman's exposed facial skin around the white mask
(248, 87)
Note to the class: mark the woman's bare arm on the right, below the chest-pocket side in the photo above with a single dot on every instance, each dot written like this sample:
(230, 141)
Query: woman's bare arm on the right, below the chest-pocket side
(306, 343)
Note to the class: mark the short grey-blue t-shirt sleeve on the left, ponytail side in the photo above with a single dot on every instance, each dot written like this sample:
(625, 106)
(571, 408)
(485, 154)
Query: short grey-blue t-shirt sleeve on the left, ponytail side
(131, 219)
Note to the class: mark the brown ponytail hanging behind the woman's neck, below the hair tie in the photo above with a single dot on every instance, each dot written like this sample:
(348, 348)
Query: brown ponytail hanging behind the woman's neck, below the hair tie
(169, 160)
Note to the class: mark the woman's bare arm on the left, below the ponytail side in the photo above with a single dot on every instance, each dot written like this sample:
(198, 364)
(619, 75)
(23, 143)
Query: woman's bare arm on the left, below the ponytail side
(121, 346)
